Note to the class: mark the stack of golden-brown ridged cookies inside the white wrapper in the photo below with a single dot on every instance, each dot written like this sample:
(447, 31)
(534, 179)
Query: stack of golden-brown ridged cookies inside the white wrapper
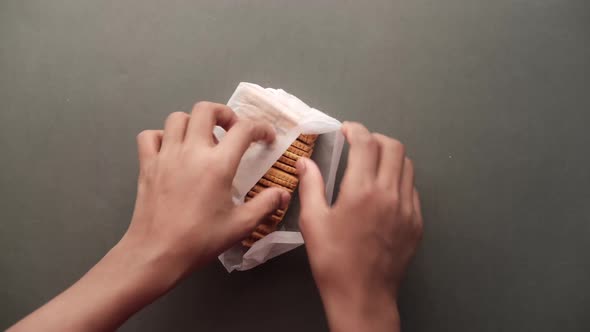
(283, 175)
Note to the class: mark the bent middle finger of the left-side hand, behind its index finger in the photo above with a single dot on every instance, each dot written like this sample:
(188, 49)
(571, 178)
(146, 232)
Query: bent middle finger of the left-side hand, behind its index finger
(204, 117)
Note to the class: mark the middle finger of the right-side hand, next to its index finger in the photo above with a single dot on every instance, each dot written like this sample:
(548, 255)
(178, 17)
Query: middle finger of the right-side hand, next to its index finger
(392, 154)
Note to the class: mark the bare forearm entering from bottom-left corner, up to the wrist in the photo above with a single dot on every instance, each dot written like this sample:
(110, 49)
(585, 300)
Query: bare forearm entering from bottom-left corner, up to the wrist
(122, 283)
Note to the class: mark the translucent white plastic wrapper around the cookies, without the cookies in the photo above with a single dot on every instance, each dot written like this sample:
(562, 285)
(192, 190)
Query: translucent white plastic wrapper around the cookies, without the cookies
(290, 118)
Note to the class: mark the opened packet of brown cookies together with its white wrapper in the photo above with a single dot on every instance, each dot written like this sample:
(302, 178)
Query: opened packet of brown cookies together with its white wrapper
(301, 131)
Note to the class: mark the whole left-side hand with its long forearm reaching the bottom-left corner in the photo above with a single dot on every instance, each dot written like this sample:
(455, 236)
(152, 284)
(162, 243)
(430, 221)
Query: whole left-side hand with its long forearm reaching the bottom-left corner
(184, 217)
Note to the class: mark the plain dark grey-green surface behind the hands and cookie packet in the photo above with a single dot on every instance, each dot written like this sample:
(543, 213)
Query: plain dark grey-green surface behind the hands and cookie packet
(492, 99)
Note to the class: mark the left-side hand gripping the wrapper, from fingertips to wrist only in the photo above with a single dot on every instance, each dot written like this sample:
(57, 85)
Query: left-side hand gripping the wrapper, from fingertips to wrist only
(184, 215)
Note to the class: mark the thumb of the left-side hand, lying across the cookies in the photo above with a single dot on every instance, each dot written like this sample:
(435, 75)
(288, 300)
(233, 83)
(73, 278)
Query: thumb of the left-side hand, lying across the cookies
(250, 214)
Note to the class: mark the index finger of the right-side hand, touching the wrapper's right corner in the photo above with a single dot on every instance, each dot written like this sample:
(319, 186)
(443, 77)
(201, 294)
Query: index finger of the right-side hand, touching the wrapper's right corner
(363, 155)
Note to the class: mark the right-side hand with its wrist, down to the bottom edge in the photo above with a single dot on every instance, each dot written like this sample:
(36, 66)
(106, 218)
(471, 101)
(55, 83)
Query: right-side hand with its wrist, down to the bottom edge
(360, 247)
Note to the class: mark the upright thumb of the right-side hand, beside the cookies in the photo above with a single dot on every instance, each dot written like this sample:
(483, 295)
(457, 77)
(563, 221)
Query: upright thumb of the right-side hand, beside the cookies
(311, 194)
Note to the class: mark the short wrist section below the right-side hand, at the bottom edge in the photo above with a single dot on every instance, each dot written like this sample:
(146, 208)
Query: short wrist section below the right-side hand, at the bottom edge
(358, 311)
